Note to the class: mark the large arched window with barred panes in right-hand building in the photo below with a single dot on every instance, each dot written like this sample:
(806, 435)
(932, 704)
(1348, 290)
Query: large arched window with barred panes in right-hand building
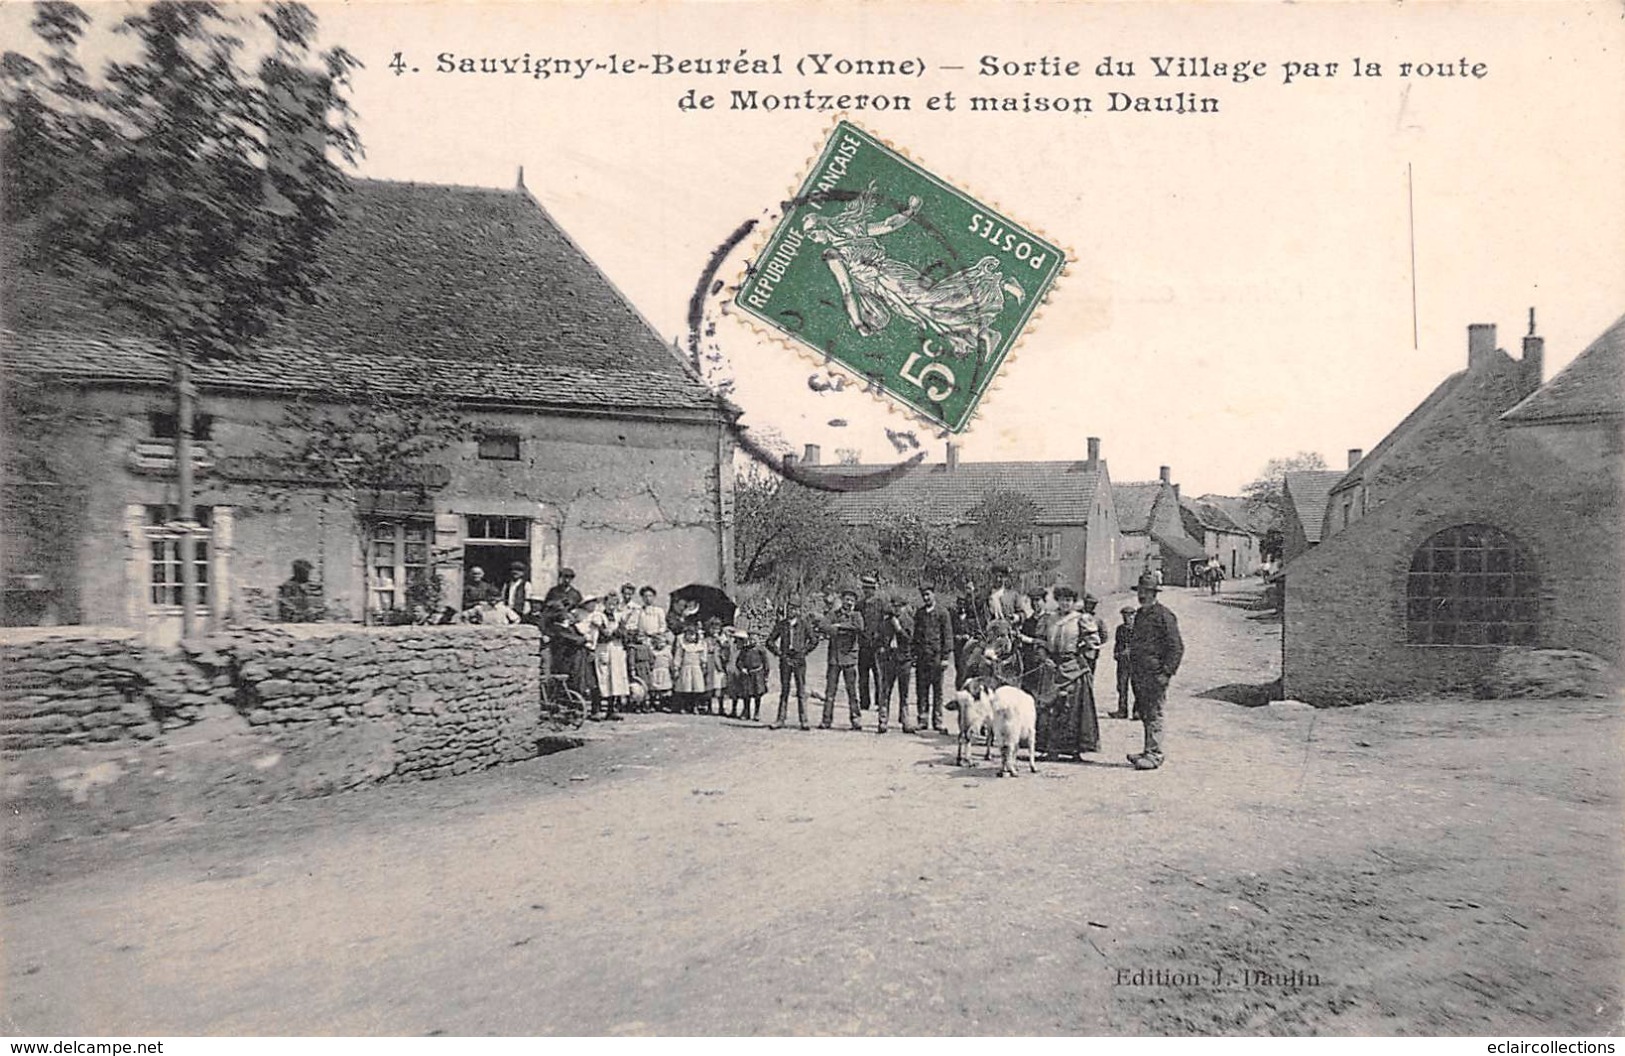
(1471, 586)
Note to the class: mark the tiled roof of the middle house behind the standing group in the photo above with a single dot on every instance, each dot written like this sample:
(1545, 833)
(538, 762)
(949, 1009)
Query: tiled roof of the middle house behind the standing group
(1064, 491)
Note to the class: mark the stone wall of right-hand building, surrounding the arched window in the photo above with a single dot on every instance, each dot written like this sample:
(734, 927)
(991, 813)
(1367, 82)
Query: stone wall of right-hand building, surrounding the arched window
(1346, 623)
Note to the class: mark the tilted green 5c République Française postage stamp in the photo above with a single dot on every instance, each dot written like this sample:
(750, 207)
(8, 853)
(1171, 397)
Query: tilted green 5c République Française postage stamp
(909, 283)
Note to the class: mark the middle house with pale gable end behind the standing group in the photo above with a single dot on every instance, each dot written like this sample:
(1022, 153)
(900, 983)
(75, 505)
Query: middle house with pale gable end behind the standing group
(1077, 517)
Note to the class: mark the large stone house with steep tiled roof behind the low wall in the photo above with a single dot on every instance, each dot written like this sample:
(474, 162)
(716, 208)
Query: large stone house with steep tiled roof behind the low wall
(594, 444)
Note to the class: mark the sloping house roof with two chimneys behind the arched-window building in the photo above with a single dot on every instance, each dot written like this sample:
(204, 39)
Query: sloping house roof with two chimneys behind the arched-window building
(1458, 417)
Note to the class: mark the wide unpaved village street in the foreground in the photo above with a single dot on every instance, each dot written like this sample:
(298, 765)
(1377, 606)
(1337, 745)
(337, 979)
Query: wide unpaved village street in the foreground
(1418, 868)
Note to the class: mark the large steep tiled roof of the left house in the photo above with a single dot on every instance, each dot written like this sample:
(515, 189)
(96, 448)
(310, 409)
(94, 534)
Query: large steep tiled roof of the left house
(477, 287)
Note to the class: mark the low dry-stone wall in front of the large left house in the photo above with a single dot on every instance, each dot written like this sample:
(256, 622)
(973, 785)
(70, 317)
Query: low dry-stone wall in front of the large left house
(100, 729)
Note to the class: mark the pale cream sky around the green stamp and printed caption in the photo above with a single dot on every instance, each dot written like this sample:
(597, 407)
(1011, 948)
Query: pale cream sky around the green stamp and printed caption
(1291, 274)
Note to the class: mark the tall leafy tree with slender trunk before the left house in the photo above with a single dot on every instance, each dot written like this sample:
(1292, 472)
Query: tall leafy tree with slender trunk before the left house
(188, 188)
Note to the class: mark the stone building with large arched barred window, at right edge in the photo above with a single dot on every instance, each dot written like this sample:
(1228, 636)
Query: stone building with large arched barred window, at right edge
(1510, 543)
